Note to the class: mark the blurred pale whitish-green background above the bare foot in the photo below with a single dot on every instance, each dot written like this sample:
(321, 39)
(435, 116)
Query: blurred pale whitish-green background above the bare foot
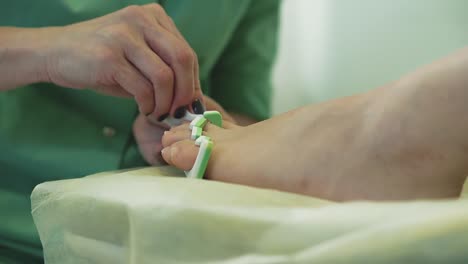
(332, 48)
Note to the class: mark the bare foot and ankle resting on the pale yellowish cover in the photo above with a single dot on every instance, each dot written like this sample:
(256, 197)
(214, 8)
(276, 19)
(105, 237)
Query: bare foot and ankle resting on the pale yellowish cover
(406, 140)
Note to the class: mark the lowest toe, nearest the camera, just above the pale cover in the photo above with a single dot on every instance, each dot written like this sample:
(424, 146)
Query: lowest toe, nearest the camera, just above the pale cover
(181, 154)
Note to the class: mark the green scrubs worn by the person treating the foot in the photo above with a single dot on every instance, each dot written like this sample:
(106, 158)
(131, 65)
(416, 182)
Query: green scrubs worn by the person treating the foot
(50, 133)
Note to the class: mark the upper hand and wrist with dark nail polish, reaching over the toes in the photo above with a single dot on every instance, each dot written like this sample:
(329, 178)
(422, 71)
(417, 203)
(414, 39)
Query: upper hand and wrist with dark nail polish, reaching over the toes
(136, 51)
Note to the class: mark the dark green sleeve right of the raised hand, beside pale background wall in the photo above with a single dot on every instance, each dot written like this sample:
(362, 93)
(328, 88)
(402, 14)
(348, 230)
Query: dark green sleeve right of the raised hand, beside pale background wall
(241, 81)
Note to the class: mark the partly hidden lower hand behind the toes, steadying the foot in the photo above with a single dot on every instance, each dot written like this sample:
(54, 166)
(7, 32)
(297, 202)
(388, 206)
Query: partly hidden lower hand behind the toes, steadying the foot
(148, 134)
